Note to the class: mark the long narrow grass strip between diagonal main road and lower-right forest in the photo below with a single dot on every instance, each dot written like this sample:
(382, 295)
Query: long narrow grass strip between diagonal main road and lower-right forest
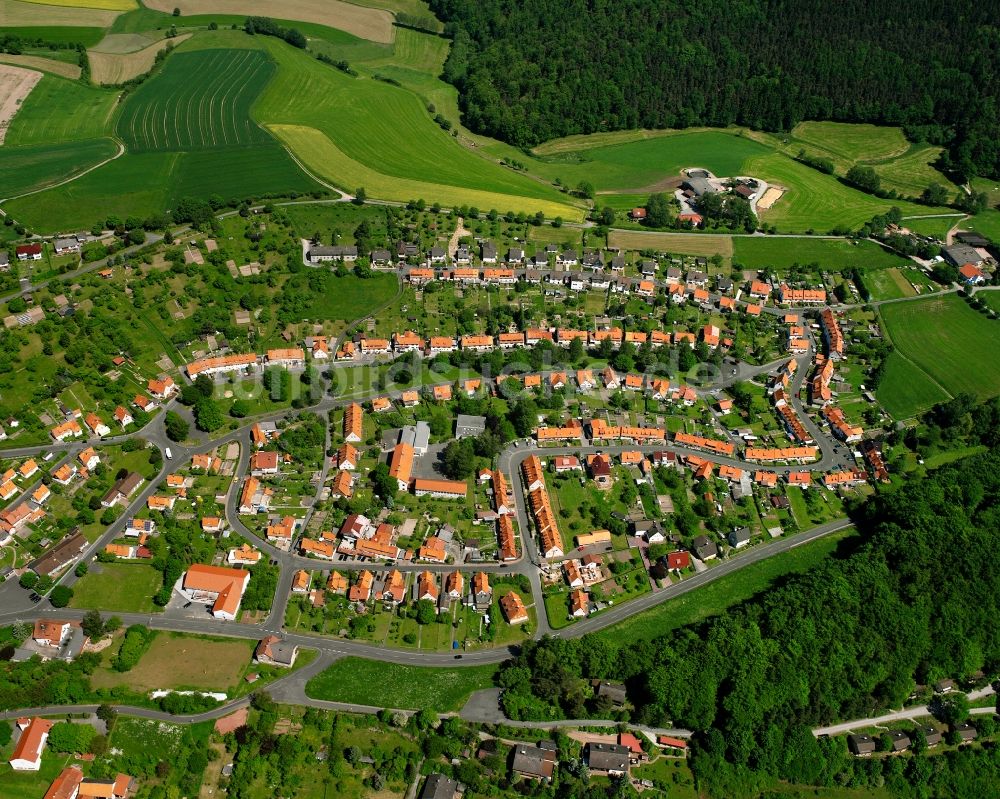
(716, 597)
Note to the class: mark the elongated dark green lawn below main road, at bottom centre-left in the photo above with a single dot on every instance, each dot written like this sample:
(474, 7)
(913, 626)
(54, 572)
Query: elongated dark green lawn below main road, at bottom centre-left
(371, 682)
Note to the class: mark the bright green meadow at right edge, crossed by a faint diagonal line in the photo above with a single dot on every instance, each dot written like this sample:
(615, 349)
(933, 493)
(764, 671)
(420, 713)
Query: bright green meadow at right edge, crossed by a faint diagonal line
(941, 344)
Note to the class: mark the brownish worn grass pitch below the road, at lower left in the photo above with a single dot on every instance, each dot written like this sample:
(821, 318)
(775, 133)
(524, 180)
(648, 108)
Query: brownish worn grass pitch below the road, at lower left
(183, 662)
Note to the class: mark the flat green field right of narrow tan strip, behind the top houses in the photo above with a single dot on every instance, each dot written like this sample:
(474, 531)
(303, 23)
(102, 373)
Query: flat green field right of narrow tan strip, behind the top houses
(759, 252)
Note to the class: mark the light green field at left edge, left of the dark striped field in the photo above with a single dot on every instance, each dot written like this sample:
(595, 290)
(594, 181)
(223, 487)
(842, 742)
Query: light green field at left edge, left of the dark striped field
(84, 113)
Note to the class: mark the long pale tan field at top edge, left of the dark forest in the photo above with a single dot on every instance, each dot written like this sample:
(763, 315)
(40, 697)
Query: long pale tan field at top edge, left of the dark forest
(366, 23)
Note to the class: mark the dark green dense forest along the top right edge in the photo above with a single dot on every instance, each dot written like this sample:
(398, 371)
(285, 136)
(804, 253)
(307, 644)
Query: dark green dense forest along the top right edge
(533, 70)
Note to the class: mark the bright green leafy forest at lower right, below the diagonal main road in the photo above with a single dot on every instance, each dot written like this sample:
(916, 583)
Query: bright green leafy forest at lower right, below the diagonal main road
(917, 600)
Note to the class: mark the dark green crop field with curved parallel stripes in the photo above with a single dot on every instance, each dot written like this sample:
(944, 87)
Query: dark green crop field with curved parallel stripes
(201, 100)
